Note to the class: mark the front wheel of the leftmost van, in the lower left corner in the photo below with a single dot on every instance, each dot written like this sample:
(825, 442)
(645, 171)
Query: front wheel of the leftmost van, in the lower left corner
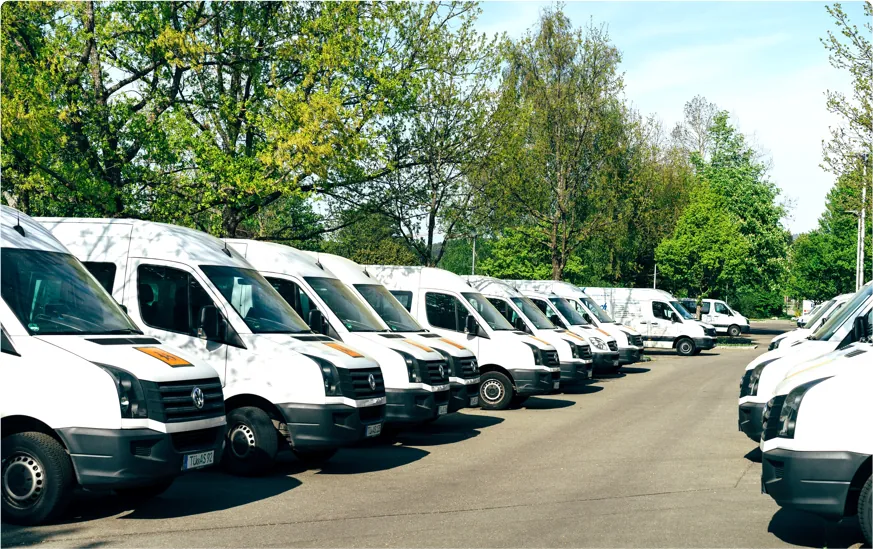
(37, 478)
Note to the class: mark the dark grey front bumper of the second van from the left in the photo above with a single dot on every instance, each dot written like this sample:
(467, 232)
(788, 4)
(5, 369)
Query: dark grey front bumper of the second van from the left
(322, 426)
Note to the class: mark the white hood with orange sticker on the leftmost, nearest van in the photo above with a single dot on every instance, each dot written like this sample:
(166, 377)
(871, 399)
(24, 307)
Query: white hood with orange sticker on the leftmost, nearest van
(144, 357)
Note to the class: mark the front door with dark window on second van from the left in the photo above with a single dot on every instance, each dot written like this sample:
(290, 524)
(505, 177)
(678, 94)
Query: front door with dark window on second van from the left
(169, 303)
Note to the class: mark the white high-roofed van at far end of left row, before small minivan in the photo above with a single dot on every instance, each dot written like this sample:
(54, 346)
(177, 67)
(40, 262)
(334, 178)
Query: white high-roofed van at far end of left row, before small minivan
(663, 321)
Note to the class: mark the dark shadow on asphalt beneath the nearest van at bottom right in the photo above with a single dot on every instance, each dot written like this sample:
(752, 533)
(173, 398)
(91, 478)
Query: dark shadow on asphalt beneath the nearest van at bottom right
(804, 529)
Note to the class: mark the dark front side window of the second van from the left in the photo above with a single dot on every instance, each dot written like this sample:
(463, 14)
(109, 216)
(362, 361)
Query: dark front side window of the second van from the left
(170, 299)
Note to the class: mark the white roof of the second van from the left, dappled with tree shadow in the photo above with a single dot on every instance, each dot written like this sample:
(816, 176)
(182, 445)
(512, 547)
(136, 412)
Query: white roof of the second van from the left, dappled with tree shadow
(147, 239)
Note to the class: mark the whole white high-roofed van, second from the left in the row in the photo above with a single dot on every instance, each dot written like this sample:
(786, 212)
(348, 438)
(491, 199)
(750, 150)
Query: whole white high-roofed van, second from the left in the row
(285, 387)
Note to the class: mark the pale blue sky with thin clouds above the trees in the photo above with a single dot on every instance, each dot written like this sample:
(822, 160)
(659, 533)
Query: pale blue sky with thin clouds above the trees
(761, 61)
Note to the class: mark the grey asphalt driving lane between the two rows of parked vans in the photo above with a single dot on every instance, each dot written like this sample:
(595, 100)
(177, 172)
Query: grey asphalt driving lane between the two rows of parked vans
(651, 458)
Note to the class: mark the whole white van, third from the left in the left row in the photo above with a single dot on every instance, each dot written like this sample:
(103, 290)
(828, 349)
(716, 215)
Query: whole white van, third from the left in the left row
(416, 376)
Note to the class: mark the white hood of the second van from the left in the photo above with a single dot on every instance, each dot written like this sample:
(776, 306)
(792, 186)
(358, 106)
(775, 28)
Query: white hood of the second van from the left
(337, 353)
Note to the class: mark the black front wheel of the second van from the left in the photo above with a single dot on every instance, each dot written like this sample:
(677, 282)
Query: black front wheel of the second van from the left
(252, 442)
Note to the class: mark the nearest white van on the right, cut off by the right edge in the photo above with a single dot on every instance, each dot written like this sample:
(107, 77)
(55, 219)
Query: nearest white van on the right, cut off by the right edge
(817, 447)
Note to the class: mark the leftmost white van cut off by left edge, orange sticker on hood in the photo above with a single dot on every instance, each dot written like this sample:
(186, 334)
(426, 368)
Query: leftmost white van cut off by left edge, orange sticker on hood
(86, 399)
